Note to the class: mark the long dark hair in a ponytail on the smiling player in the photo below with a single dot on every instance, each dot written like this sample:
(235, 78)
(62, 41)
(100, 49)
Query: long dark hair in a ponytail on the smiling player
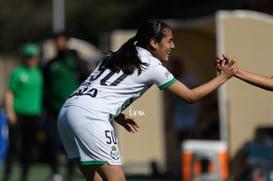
(126, 57)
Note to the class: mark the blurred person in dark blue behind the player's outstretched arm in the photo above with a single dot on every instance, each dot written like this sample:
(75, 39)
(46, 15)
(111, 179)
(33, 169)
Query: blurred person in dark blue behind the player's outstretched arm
(184, 115)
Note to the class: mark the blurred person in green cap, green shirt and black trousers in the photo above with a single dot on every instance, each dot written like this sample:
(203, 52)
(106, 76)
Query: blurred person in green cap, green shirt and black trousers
(23, 101)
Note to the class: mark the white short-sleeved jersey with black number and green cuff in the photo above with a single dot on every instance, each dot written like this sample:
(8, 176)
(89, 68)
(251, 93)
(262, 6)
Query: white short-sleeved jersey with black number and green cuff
(106, 94)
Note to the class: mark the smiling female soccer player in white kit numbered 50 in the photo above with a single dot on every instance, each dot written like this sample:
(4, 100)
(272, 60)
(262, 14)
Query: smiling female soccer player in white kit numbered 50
(84, 121)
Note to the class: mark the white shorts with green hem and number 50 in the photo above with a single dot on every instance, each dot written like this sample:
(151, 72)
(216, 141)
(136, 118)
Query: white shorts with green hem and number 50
(87, 138)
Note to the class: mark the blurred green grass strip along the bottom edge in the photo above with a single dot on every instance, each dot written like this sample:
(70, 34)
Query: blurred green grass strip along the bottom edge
(40, 172)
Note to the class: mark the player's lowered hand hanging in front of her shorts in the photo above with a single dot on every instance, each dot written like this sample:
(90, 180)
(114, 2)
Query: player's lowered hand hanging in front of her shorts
(127, 122)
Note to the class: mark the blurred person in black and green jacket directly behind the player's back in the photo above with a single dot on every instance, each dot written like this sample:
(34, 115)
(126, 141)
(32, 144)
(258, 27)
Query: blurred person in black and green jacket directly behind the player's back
(63, 74)
